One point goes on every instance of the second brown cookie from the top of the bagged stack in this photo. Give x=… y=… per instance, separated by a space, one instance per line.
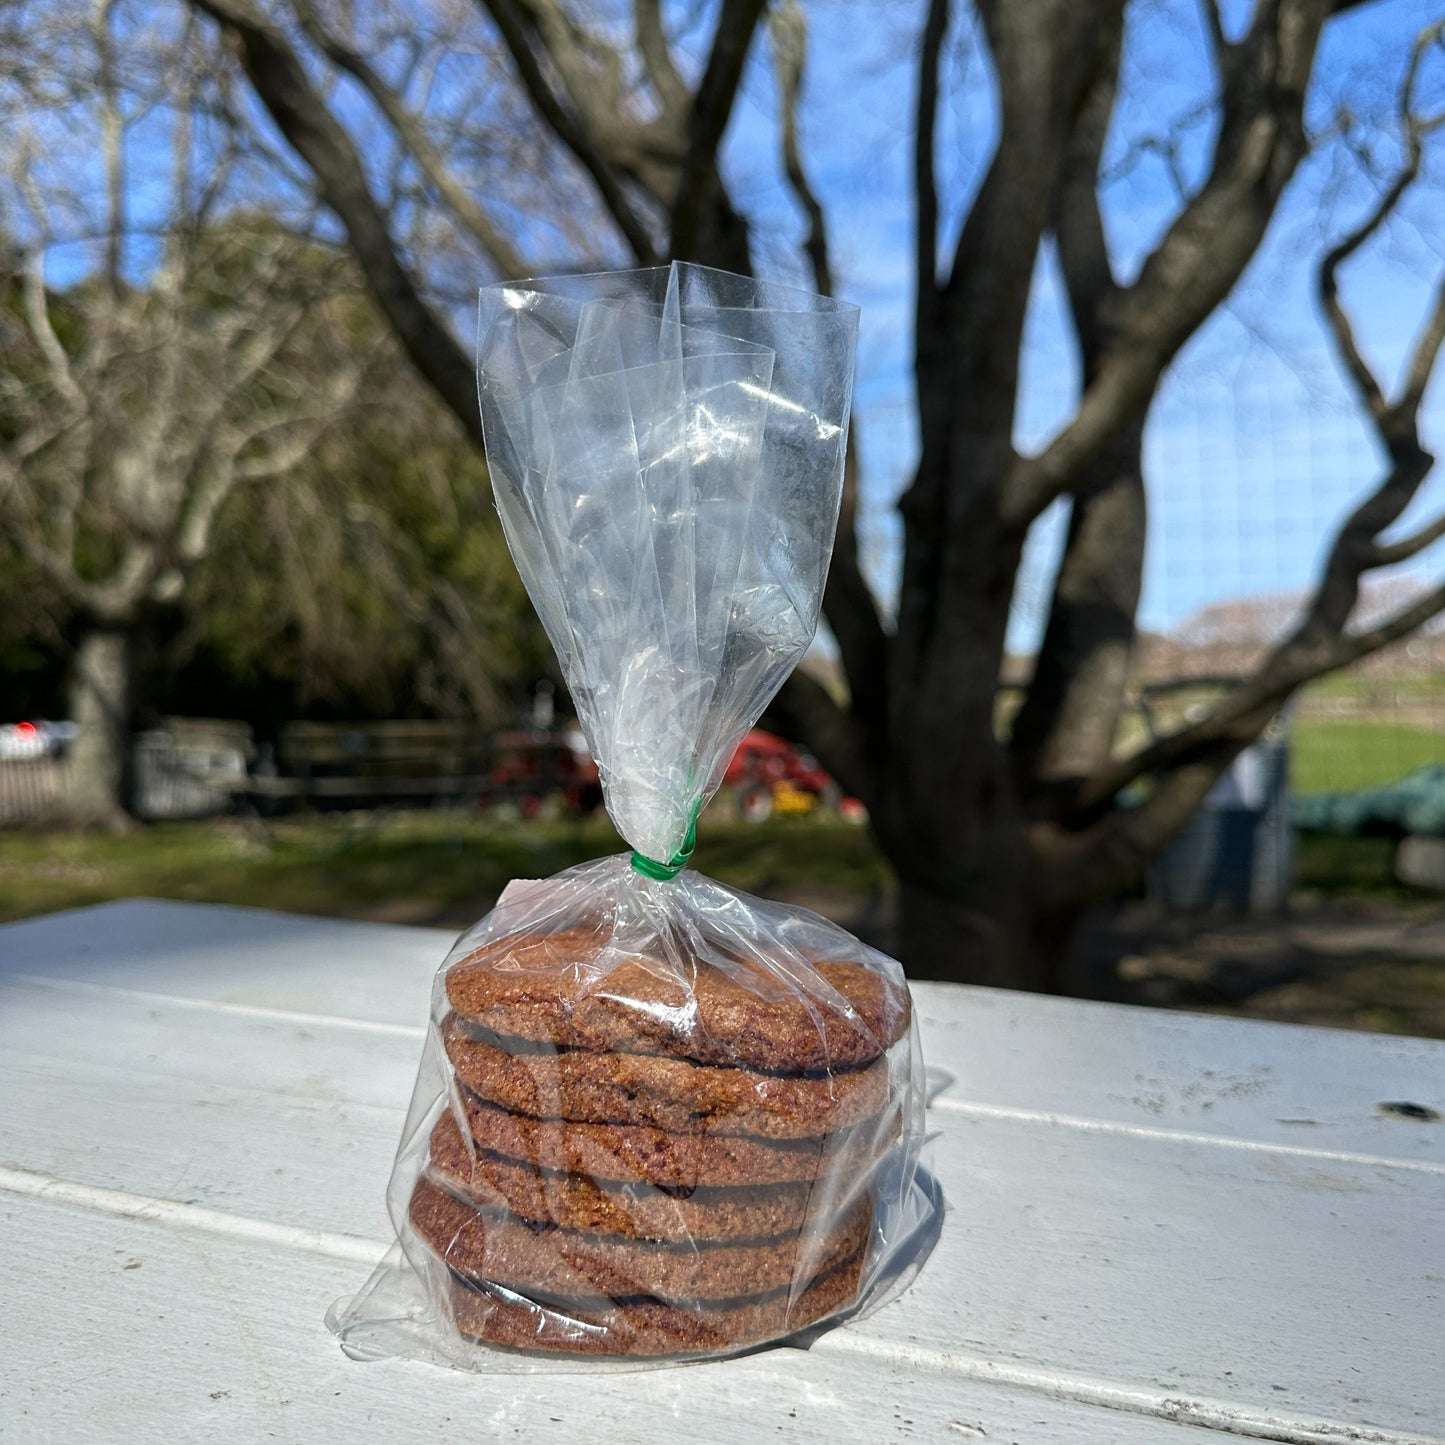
x=661 y=1092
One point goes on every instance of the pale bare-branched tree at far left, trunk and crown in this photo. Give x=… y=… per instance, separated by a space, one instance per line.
x=191 y=352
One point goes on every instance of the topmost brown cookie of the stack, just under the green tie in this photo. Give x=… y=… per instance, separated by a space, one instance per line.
x=774 y=1015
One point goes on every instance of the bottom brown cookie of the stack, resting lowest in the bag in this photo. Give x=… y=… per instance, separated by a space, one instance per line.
x=648 y=1327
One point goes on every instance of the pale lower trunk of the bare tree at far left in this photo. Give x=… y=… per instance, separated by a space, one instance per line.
x=100 y=710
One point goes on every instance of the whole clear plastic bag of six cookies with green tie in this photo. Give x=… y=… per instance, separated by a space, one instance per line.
x=657 y=1118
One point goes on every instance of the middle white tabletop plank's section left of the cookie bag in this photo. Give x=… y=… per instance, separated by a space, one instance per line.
x=219 y=1109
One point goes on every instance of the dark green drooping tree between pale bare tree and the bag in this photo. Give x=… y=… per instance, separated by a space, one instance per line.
x=372 y=582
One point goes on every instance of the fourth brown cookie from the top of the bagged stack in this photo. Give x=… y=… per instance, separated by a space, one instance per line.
x=596 y=1207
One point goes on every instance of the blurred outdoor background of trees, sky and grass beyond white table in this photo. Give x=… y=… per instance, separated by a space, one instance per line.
x=1132 y=678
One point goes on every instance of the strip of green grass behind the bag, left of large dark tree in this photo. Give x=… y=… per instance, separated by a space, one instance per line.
x=411 y=865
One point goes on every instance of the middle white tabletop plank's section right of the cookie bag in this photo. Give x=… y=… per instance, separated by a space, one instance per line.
x=1294 y=1291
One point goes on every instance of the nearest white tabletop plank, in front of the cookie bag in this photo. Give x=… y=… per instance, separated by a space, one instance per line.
x=138 y=1330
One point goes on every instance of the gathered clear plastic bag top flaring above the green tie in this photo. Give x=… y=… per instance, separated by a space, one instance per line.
x=667 y=457
